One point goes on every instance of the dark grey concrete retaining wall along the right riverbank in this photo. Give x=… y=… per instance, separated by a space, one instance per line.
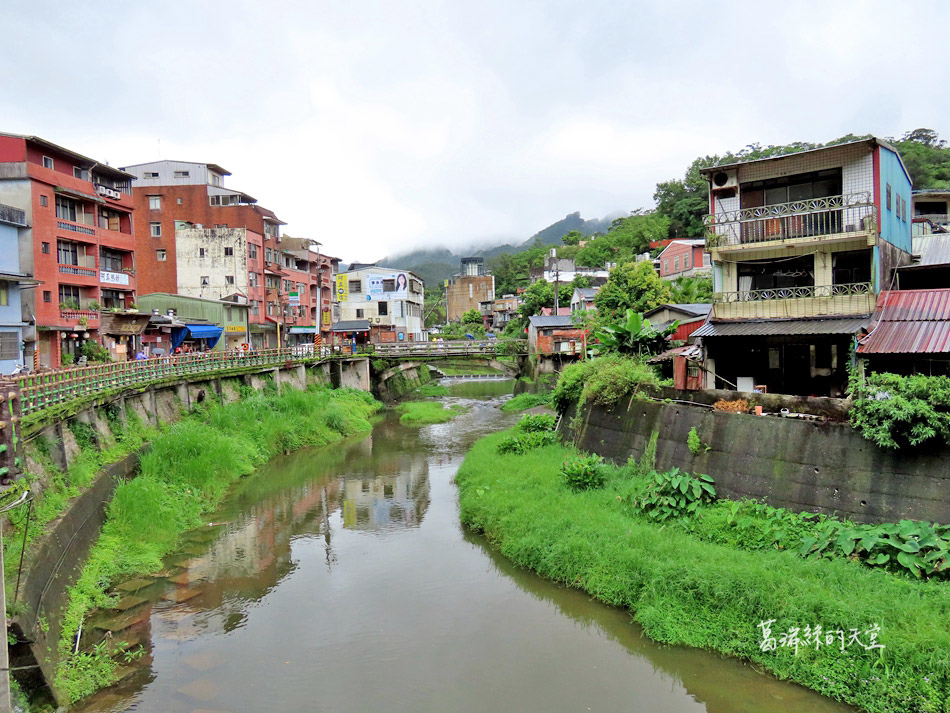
x=814 y=466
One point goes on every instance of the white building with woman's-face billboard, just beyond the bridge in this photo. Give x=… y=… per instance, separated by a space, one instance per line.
x=384 y=303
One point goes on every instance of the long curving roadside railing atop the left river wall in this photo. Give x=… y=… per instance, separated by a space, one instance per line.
x=48 y=388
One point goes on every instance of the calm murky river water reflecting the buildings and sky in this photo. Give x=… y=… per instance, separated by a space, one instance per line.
x=340 y=580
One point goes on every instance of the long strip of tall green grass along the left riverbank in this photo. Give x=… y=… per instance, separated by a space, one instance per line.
x=185 y=475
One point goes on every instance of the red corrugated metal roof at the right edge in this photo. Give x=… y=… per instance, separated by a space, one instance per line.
x=909 y=322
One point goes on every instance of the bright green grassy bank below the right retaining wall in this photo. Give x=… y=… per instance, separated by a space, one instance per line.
x=687 y=591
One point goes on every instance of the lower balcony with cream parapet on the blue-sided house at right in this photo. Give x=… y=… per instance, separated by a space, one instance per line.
x=795 y=302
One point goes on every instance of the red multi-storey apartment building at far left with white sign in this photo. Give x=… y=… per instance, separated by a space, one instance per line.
x=78 y=242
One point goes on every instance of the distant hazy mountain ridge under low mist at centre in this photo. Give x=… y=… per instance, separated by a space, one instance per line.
x=436 y=264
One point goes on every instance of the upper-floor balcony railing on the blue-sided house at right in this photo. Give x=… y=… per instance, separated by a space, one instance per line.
x=811 y=218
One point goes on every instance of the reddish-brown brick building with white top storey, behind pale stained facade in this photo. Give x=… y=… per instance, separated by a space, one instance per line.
x=174 y=195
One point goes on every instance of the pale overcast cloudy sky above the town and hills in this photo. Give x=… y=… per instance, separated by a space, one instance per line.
x=378 y=127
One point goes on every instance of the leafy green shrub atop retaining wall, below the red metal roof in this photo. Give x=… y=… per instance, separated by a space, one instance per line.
x=899 y=411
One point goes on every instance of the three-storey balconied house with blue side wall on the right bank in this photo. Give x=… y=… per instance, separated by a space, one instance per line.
x=800 y=245
